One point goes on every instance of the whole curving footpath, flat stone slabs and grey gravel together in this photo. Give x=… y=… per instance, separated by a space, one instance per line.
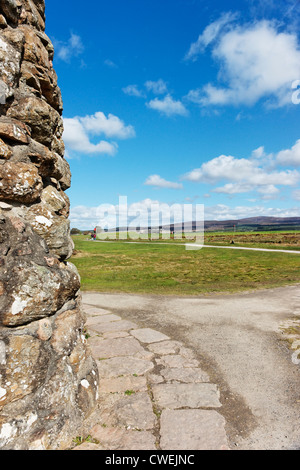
x=168 y=364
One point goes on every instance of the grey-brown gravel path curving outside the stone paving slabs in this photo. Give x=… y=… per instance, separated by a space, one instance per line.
x=239 y=343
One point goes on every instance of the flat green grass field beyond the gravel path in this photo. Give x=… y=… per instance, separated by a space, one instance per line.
x=172 y=270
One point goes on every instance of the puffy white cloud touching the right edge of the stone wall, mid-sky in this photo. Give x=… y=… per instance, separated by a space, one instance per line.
x=78 y=132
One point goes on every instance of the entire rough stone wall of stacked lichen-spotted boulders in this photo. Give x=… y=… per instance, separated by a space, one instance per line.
x=48 y=379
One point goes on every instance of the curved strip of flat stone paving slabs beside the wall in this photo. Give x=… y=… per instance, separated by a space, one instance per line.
x=152 y=393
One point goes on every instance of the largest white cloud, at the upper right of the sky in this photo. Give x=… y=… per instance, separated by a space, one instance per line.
x=256 y=62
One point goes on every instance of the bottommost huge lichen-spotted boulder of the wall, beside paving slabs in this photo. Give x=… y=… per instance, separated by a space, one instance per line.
x=42 y=397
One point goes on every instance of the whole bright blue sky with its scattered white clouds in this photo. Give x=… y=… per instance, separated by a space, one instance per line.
x=180 y=101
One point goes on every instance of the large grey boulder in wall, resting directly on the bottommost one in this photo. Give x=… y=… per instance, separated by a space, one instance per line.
x=35 y=284
